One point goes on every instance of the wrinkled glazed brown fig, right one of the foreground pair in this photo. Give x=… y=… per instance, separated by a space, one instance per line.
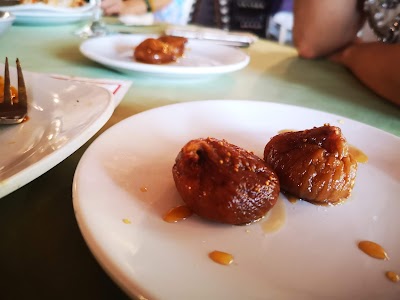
x=314 y=165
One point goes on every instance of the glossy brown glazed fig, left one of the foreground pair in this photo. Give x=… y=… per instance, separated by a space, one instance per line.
x=224 y=183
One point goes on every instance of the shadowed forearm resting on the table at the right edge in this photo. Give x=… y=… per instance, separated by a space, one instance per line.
x=376 y=64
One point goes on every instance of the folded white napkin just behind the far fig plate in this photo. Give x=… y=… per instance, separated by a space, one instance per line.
x=233 y=38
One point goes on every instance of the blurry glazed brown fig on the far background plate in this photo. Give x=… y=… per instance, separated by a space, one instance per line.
x=163 y=50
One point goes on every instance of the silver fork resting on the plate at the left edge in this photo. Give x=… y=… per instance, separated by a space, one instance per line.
x=13 y=112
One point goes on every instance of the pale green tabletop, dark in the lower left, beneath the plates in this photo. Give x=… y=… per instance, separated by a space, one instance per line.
x=42 y=252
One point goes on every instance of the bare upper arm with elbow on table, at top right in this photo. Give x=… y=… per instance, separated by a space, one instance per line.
x=321 y=27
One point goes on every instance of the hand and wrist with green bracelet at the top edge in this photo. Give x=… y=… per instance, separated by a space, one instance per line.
x=135 y=7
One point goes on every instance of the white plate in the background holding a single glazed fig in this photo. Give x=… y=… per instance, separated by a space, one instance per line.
x=201 y=58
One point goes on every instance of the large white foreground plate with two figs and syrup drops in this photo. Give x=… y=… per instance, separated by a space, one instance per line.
x=313 y=256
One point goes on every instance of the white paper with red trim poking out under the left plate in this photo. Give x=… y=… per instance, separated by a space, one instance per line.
x=118 y=88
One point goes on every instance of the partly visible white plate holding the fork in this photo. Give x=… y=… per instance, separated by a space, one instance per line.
x=63 y=115
